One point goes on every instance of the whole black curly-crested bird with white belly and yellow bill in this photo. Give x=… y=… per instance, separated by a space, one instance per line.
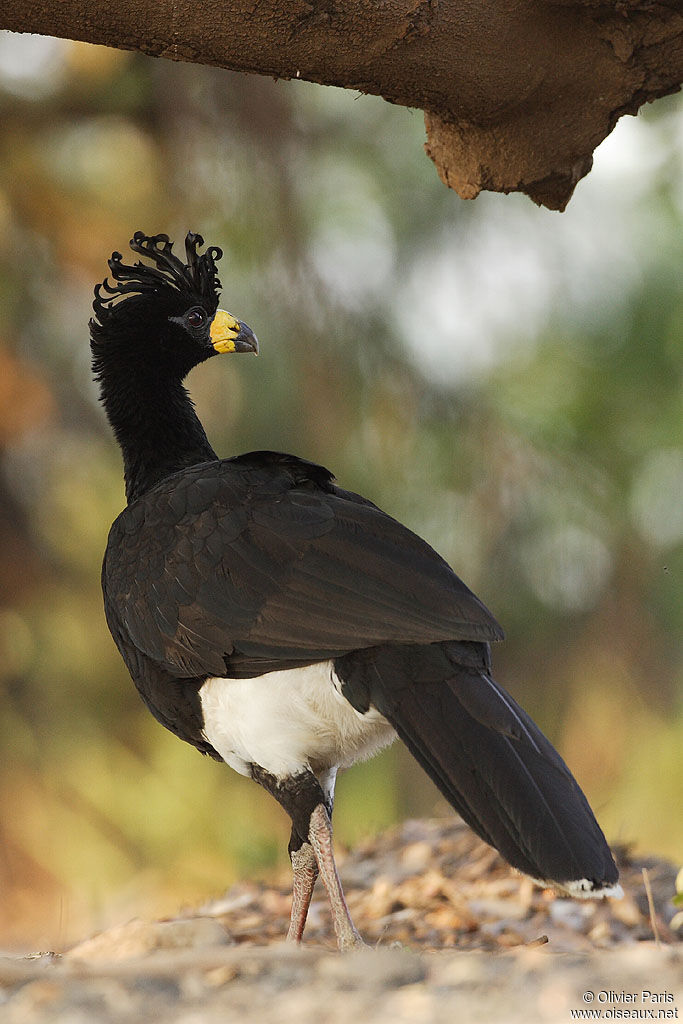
x=289 y=627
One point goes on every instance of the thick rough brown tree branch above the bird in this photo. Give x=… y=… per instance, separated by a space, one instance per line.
x=517 y=94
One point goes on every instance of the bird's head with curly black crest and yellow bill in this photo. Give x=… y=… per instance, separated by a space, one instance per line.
x=163 y=314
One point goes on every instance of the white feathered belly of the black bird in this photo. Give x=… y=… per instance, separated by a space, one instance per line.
x=289 y=721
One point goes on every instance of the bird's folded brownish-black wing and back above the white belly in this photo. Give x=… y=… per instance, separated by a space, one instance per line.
x=248 y=564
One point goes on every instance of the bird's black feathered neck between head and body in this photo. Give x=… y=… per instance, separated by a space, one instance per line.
x=157 y=429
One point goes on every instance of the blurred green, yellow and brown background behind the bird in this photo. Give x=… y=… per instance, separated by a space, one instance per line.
x=505 y=380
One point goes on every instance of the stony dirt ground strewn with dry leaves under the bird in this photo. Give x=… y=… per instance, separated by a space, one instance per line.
x=453 y=934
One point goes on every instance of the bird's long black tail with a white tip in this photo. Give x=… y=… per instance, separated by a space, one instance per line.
x=490 y=760
